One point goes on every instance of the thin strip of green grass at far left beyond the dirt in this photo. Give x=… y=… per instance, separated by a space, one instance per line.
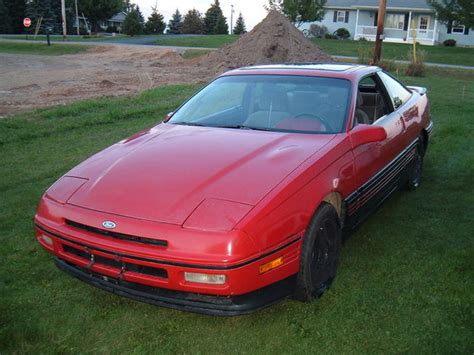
x=41 y=48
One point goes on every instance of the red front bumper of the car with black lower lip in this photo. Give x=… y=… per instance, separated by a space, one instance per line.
x=149 y=274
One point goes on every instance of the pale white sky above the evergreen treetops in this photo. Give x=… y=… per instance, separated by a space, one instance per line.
x=252 y=10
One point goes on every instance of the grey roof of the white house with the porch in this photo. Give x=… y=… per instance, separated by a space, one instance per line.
x=391 y=4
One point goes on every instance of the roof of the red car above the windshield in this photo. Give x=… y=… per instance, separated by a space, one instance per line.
x=341 y=70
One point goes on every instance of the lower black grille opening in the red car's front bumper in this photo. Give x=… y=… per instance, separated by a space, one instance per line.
x=152 y=271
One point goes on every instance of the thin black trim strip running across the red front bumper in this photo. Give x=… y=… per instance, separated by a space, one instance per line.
x=165 y=262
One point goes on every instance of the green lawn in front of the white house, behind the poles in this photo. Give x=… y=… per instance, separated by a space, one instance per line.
x=434 y=54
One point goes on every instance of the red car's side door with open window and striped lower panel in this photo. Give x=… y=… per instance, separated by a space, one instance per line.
x=378 y=164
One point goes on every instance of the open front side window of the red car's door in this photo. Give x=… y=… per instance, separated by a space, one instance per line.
x=371 y=103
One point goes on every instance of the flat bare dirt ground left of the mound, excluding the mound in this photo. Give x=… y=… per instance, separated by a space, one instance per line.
x=30 y=81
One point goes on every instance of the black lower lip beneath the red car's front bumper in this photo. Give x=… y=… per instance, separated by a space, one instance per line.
x=185 y=301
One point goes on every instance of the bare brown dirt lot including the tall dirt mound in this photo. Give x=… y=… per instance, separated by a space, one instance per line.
x=29 y=81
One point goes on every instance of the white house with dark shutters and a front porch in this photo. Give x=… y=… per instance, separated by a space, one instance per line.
x=402 y=17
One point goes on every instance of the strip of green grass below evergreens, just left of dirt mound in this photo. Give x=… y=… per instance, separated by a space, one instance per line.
x=205 y=41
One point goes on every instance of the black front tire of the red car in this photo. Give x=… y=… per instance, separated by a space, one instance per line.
x=319 y=254
